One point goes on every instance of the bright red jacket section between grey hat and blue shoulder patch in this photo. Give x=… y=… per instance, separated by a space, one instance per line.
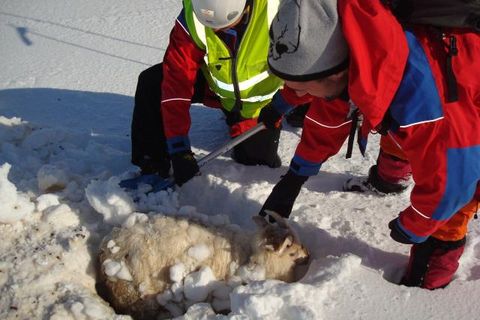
x=377 y=62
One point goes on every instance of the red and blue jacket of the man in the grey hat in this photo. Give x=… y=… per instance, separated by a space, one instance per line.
x=404 y=73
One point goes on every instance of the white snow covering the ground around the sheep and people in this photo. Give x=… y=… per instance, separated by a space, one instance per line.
x=68 y=77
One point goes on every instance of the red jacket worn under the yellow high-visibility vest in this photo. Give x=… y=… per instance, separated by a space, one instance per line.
x=181 y=64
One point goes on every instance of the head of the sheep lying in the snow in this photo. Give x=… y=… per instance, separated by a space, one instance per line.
x=278 y=249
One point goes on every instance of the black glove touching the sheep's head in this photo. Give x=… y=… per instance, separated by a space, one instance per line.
x=283 y=195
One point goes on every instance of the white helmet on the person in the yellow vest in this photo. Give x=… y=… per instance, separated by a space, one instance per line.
x=218 y=14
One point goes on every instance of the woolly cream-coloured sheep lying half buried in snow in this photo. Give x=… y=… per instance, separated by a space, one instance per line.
x=142 y=268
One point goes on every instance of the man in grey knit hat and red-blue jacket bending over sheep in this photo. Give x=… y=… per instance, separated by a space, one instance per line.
x=353 y=58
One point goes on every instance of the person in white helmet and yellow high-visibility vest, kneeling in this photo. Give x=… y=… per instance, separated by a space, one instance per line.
x=161 y=119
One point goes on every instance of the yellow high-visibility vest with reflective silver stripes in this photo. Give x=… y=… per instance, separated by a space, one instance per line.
x=257 y=86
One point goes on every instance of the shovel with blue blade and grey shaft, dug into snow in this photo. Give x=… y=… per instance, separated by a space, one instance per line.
x=158 y=183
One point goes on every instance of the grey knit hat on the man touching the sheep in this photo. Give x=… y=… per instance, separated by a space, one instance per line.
x=306 y=40
